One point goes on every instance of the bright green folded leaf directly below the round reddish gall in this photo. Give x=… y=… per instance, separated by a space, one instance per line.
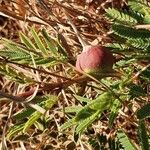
x=90 y=112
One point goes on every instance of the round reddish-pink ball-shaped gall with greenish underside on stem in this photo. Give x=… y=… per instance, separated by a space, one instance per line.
x=95 y=59
